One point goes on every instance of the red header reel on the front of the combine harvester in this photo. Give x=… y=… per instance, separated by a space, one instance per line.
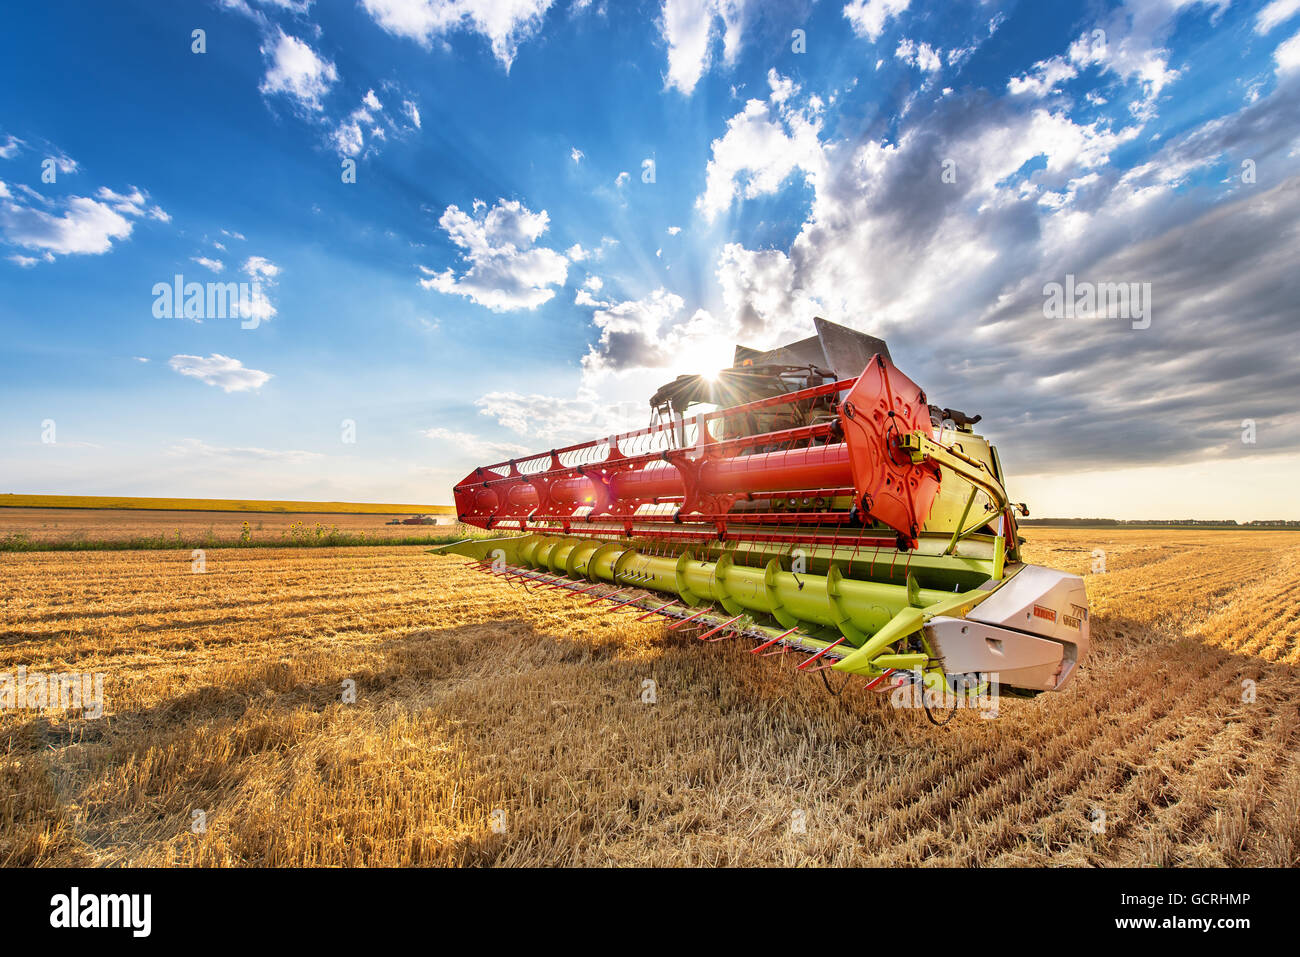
x=840 y=466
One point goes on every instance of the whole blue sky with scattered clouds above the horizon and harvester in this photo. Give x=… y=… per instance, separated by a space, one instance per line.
x=508 y=272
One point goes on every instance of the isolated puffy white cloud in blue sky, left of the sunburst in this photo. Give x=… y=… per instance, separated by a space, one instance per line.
x=506 y=271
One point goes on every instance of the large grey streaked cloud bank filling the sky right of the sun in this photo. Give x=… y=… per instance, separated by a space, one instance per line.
x=955 y=275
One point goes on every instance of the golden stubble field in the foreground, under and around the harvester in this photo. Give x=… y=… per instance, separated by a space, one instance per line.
x=500 y=728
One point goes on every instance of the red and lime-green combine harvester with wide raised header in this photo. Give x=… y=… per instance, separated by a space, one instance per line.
x=825 y=508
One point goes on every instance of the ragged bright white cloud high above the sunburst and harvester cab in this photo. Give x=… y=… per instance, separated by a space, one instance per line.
x=764 y=145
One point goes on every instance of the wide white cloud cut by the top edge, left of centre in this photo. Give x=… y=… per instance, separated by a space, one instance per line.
x=506 y=24
